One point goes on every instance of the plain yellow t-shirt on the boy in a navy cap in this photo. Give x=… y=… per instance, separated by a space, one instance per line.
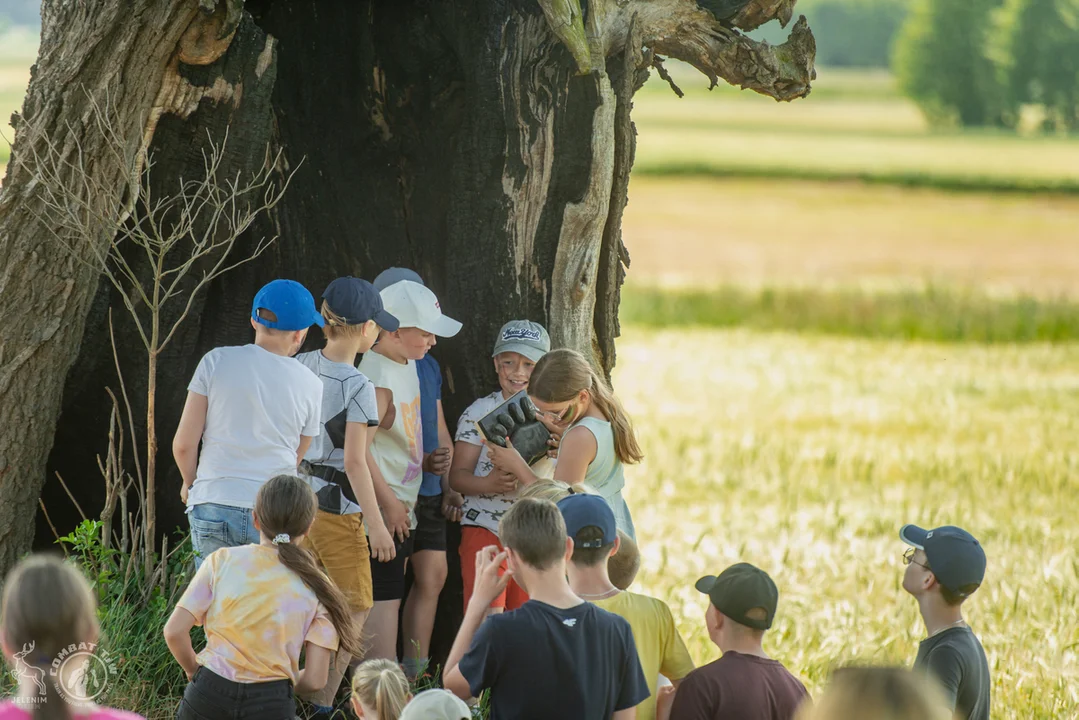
x=659 y=644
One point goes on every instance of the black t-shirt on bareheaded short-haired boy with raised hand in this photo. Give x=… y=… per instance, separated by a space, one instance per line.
x=544 y=662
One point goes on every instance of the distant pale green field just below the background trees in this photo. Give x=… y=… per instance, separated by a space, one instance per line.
x=853 y=127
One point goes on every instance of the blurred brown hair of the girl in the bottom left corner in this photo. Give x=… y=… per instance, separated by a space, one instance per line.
x=48 y=606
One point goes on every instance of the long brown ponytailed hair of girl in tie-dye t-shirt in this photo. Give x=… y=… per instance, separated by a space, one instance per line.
x=286 y=509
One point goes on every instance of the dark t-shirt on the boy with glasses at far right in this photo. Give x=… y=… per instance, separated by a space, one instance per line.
x=957 y=659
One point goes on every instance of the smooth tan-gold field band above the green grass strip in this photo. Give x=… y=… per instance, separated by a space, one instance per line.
x=764 y=233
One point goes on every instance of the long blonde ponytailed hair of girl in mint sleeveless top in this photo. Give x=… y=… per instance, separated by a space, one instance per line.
x=563 y=374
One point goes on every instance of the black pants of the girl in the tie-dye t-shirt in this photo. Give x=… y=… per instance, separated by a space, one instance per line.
x=210 y=697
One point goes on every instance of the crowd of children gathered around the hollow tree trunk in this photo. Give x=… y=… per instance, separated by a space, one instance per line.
x=319 y=482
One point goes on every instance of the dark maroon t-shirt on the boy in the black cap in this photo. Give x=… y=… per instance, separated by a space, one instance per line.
x=737 y=686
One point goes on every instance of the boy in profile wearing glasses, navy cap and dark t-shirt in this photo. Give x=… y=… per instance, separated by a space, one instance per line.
x=945 y=567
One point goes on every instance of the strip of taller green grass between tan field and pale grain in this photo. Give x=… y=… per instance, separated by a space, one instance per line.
x=930 y=314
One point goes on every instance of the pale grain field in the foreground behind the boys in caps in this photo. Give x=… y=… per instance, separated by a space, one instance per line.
x=805 y=455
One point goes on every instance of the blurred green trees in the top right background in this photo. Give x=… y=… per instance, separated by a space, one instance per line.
x=972 y=63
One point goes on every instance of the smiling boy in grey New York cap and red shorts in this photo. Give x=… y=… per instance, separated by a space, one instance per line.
x=490 y=493
